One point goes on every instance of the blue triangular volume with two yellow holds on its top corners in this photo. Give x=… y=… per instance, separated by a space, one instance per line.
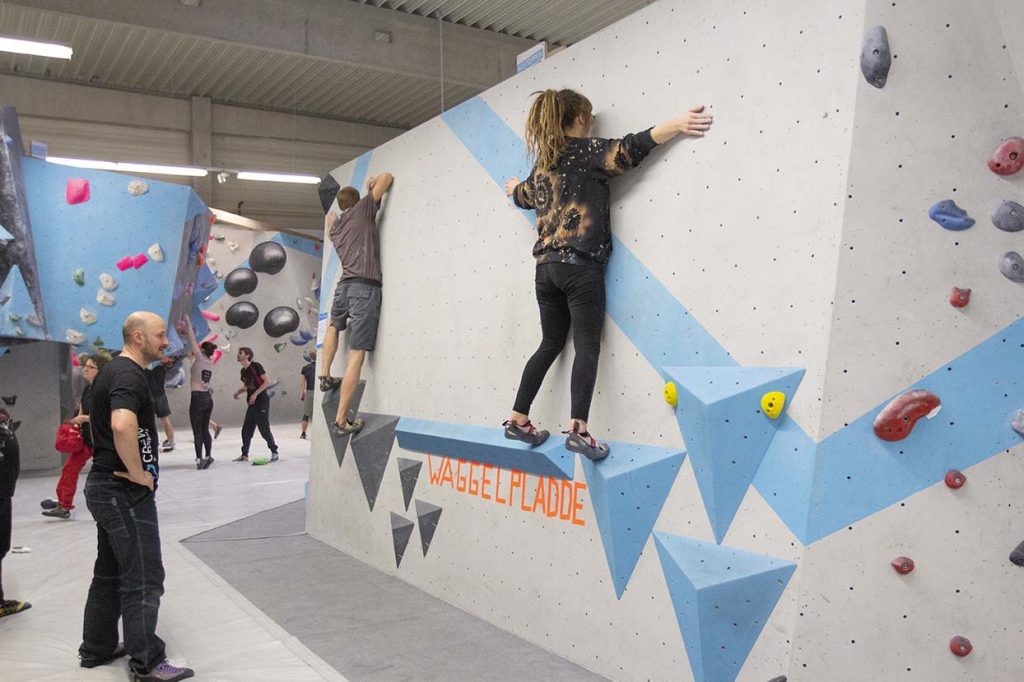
x=727 y=435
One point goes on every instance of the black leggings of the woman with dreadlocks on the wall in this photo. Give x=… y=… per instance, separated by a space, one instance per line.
x=570 y=296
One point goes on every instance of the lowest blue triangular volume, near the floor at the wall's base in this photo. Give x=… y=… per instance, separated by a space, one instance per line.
x=723 y=599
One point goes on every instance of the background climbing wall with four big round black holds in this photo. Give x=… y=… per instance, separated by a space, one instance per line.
x=260 y=291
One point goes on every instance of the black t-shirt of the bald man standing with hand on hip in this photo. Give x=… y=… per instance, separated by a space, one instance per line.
x=122 y=386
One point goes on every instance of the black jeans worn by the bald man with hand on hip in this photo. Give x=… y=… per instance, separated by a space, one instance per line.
x=129 y=577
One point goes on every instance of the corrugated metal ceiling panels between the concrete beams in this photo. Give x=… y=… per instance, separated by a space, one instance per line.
x=143 y=60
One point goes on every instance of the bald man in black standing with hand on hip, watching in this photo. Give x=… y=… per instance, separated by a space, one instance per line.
x=129 y=577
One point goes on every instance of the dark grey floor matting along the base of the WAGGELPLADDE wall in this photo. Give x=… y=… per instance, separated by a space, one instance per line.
x=367 y=625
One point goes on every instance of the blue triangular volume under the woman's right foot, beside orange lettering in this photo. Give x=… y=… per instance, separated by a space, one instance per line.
x=628 y=490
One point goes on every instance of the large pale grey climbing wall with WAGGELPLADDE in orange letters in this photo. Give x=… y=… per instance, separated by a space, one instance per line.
x=780 y=283
